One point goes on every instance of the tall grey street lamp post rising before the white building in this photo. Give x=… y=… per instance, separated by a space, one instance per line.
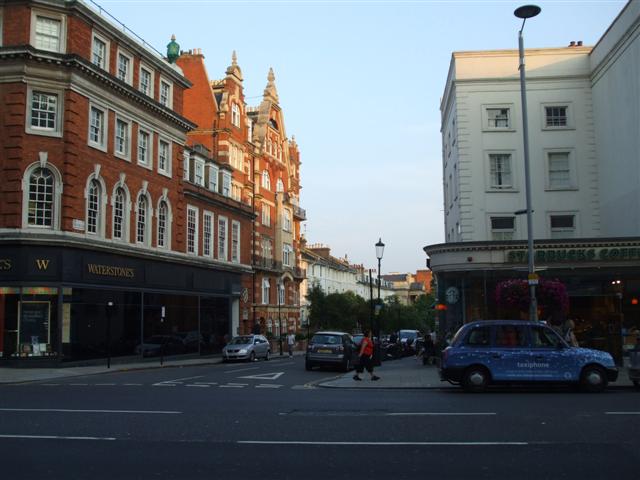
x=524 y=12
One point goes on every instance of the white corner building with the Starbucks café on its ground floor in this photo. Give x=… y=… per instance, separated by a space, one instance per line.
x=584 y=134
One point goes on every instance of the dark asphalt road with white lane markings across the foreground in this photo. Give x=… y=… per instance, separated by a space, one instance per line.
x=270 y=420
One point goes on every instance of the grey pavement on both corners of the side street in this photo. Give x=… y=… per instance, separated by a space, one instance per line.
x=406 y=373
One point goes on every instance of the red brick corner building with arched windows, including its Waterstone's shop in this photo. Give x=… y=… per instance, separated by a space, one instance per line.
x=115 y=239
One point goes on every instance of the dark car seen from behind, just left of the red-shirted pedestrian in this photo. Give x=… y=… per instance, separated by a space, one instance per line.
x=335 y=349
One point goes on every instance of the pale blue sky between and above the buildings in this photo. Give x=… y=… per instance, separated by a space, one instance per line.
x=360 y=84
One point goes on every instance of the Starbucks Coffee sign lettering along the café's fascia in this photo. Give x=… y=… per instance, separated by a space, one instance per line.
x=577 y=255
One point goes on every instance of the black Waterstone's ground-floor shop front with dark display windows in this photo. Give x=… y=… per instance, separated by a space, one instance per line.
x=65 y=304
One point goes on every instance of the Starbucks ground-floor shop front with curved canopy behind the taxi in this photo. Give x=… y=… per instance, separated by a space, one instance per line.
x=602 y=277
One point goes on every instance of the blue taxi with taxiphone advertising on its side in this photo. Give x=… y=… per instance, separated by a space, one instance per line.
x=504 y=351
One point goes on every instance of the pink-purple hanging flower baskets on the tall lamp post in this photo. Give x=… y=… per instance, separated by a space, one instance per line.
x=552 y=295
